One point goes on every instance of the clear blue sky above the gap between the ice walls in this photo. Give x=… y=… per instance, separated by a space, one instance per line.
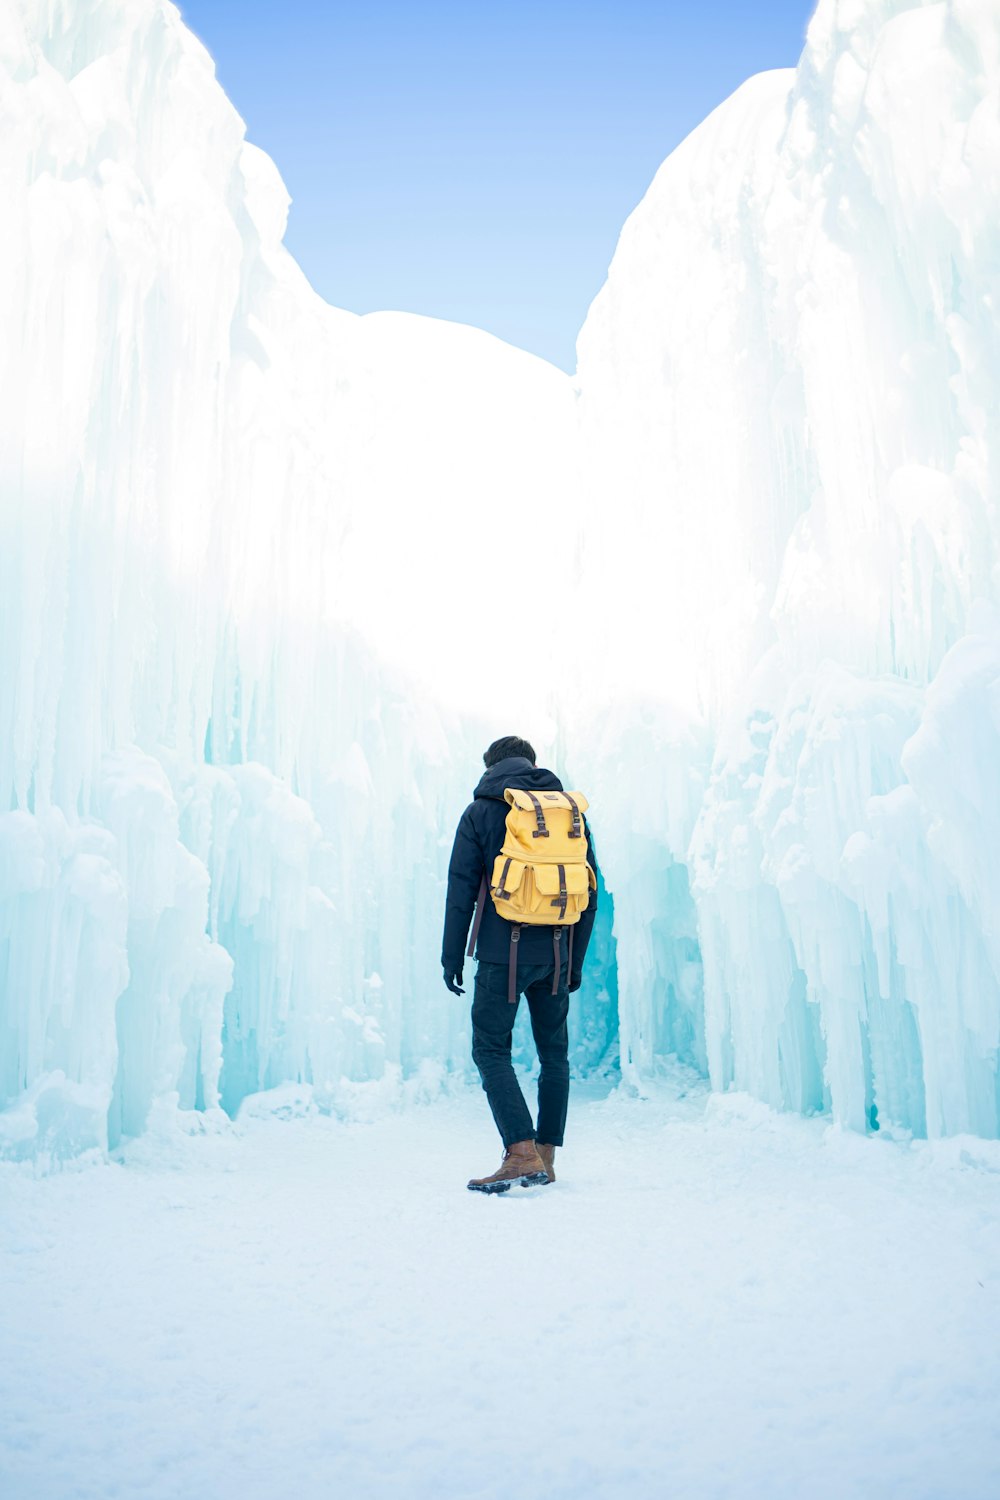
x=473 y=160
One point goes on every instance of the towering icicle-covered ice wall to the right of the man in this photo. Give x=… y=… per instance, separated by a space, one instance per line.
x=794 y=376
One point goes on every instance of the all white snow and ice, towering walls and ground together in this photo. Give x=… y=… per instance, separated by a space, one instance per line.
x=271 y=581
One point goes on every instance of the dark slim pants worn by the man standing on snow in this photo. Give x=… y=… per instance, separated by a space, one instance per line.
x=493 y=1027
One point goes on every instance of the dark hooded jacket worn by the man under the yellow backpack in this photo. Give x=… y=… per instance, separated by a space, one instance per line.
x=478 y=844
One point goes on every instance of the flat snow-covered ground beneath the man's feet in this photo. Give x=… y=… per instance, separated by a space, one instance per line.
x=714 y=1301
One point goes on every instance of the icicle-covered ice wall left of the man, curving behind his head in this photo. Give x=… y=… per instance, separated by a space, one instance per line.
x=235 y=526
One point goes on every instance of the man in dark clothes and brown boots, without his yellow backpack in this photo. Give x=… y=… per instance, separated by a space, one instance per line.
x=528 y=1150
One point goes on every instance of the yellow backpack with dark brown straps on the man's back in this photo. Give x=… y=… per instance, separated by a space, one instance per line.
x=542 y=875
